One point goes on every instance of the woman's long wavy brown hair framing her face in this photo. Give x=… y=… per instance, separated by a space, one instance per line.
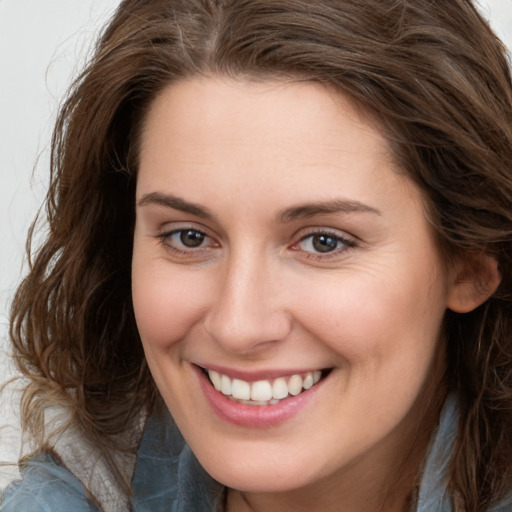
x=434 y=76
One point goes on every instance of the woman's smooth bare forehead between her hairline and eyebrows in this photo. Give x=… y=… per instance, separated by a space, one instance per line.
x=285 y=127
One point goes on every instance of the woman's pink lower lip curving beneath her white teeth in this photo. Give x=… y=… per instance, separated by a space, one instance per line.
x=255 y=416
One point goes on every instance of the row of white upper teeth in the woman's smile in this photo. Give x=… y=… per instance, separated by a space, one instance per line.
x=263 y=390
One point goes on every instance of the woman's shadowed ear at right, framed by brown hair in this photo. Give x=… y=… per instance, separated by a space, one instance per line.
x=476 y=278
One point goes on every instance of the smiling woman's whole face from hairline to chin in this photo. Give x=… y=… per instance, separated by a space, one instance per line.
x=276 y=249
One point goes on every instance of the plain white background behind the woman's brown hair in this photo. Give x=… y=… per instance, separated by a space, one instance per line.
x=43 y=43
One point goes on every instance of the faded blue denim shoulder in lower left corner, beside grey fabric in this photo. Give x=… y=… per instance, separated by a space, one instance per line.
x=46 y=485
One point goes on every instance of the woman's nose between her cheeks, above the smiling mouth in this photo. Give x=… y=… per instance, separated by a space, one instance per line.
x=248 y=308
